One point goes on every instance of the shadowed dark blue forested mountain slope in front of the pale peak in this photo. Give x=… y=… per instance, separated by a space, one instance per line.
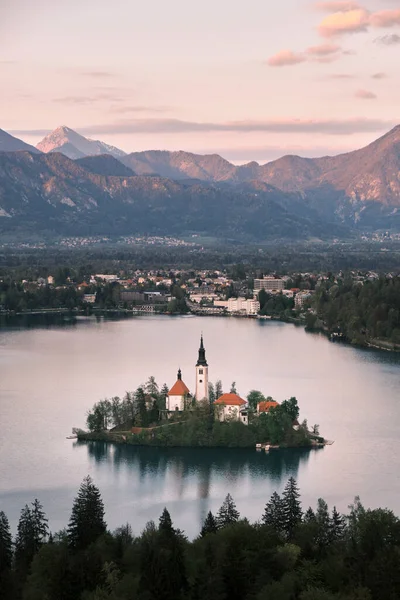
x=52 y=194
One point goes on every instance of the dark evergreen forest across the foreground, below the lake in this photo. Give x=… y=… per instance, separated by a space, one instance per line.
x=289 y=554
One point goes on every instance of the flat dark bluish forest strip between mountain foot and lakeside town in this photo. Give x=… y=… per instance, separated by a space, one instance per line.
x=212 y=254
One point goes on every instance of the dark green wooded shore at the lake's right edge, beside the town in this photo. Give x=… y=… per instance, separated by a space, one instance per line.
x=360 y=311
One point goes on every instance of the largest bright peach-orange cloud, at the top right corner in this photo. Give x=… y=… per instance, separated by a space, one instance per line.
x=357 y=20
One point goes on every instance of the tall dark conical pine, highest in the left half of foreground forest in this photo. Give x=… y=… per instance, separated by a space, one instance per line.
x=87 y=519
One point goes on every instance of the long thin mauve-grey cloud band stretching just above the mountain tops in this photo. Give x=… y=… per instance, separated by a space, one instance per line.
x=176 y=126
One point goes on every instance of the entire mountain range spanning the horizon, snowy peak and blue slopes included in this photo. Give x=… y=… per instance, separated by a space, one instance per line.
x=71 y=185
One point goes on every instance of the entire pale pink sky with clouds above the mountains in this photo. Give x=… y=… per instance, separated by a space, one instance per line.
x=250 y=81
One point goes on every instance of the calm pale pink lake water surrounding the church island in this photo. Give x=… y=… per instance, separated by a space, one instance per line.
x=50 y=377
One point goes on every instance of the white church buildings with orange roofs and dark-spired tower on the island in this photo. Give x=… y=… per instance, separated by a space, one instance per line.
x=227 y=407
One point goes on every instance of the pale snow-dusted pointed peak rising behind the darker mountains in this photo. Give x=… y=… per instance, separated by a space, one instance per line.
x=72 y=144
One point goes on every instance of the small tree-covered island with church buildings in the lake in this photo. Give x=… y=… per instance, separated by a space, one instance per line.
x=175 y=417
